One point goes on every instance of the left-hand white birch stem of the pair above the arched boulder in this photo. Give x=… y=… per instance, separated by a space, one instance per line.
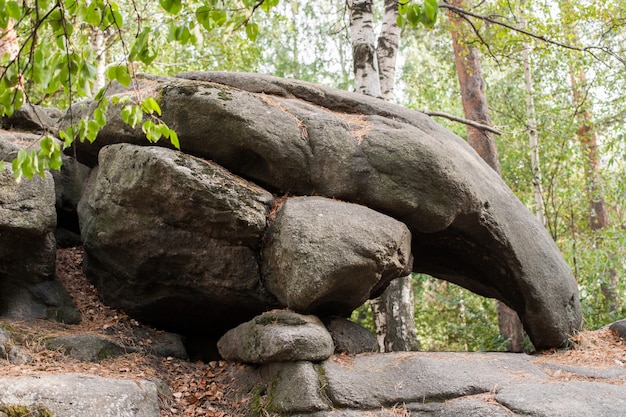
x=366 y=79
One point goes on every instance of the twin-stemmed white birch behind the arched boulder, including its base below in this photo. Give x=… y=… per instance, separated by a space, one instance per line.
x=374 y=74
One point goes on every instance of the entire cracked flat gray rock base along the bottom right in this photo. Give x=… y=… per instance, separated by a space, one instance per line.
x=428 y=384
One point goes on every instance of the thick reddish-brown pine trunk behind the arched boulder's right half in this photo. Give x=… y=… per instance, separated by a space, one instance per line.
x=474 y=98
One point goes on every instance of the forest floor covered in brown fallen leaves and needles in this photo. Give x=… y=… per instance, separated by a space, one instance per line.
x=213 y=389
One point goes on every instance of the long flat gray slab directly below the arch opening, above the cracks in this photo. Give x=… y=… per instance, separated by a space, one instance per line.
x=374 y=381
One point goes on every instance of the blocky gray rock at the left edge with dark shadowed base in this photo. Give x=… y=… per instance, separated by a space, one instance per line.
x=28 y=288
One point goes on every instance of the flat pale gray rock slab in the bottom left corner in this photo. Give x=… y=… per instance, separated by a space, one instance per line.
x=75 y=395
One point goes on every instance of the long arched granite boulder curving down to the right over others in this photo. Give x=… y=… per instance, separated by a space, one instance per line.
x=298 y=138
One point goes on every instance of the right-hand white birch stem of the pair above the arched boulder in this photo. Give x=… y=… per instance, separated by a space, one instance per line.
x=387 y=50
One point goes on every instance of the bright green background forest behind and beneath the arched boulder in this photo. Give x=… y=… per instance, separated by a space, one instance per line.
x=555 y=76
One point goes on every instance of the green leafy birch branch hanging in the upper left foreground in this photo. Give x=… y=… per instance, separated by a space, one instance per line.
x=49 y=63
